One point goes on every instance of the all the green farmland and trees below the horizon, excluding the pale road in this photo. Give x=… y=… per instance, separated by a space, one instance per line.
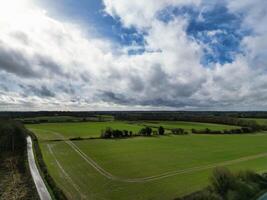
x=136 y=155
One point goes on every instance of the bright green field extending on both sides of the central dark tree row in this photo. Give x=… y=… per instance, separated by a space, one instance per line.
x=162 y=167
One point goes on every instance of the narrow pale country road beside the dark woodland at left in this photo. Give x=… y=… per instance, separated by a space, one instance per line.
x=39 y=183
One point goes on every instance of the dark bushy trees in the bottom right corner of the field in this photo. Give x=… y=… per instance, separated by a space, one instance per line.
x=225 y=185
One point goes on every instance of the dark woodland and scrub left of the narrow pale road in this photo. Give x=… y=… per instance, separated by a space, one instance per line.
x=15 y=178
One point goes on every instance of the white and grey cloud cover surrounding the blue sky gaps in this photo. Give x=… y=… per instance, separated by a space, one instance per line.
x=49 y=64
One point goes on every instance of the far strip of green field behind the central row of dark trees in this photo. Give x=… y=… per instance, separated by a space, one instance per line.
x=93 y=129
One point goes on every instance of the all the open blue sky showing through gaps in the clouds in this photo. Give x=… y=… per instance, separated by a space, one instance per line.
x=212 y=24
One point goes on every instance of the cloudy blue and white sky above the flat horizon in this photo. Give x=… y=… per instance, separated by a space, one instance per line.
x=133 y=55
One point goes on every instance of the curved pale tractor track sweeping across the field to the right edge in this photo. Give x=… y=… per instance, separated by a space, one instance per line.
x=110 y=176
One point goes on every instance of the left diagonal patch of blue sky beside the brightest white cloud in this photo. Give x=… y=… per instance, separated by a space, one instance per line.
x=91 y=13
